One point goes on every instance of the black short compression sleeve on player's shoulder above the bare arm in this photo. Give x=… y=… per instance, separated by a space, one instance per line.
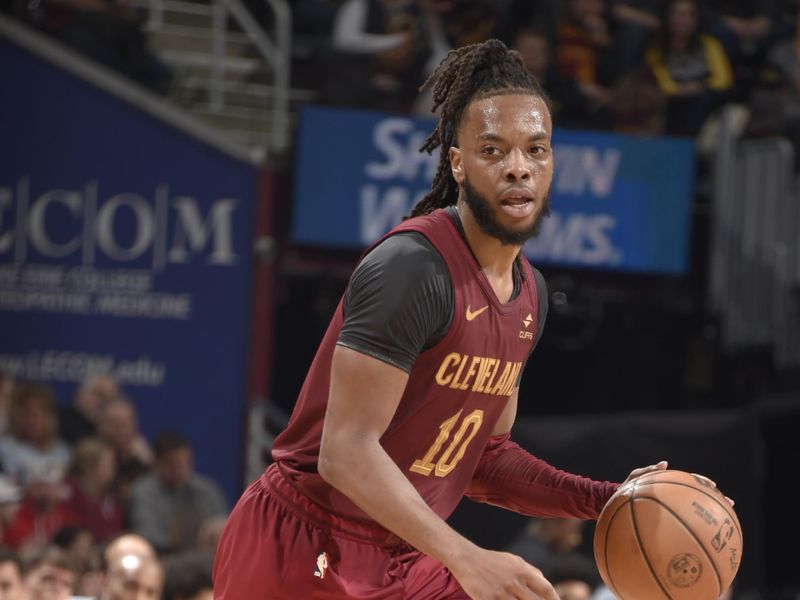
x=399 y=301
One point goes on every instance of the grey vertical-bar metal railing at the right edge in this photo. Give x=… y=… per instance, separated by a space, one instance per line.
x=755 y=252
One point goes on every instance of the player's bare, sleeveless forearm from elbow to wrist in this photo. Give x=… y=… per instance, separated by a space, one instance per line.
x=362 y=471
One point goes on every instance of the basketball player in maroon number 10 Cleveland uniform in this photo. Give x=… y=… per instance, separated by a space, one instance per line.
x=410 y=400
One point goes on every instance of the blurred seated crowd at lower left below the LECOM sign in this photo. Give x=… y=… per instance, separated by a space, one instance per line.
x=90 y=508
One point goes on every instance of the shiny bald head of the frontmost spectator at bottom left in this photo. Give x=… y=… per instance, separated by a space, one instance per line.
x=133 y=576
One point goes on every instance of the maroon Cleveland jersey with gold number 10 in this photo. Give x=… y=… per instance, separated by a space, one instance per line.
x=455 y=393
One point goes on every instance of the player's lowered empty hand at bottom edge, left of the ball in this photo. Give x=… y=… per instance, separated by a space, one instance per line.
x=490 y=575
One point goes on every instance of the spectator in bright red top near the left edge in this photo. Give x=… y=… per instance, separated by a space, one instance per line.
x=42 y=513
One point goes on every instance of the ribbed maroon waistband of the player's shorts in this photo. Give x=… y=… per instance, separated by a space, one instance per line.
x=274 y=480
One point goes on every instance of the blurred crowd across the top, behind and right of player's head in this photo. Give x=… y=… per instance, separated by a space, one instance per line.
x=649 y=67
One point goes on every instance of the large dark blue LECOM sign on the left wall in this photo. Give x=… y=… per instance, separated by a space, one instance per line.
x=124 y=248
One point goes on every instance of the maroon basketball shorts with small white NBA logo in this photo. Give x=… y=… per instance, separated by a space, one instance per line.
x=278 y=544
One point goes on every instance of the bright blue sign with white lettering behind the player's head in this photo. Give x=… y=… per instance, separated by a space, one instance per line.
x=618 y=202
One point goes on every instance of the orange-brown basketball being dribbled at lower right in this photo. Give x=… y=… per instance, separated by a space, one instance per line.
x=668 y=534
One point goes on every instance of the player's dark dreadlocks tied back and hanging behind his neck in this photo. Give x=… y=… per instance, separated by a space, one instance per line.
x=472 y=72
